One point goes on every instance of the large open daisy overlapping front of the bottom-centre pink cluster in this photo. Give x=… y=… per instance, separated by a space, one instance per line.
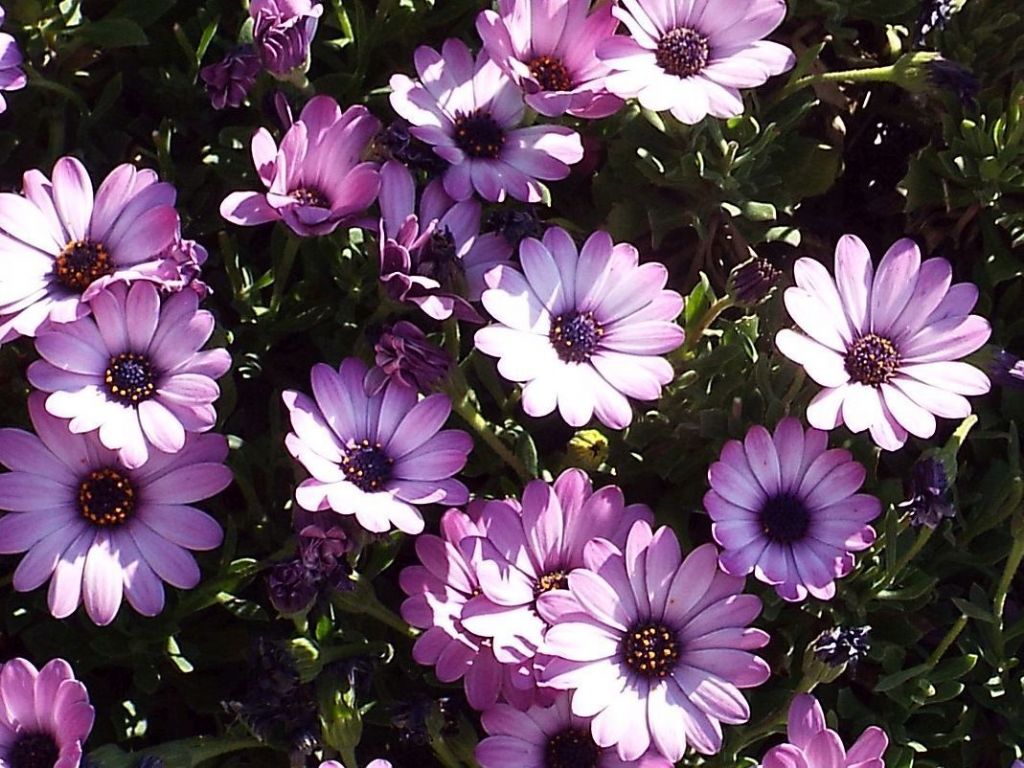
x=654 y=648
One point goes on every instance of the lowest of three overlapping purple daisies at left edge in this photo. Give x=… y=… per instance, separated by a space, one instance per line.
x=100 y=531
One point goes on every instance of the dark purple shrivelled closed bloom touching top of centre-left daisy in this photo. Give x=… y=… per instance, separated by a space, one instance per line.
x=405 y=355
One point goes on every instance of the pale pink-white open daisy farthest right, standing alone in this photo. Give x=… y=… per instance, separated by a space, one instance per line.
x=884 y=344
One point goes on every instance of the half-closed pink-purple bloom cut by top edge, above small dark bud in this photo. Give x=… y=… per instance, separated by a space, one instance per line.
x=283 y=31
